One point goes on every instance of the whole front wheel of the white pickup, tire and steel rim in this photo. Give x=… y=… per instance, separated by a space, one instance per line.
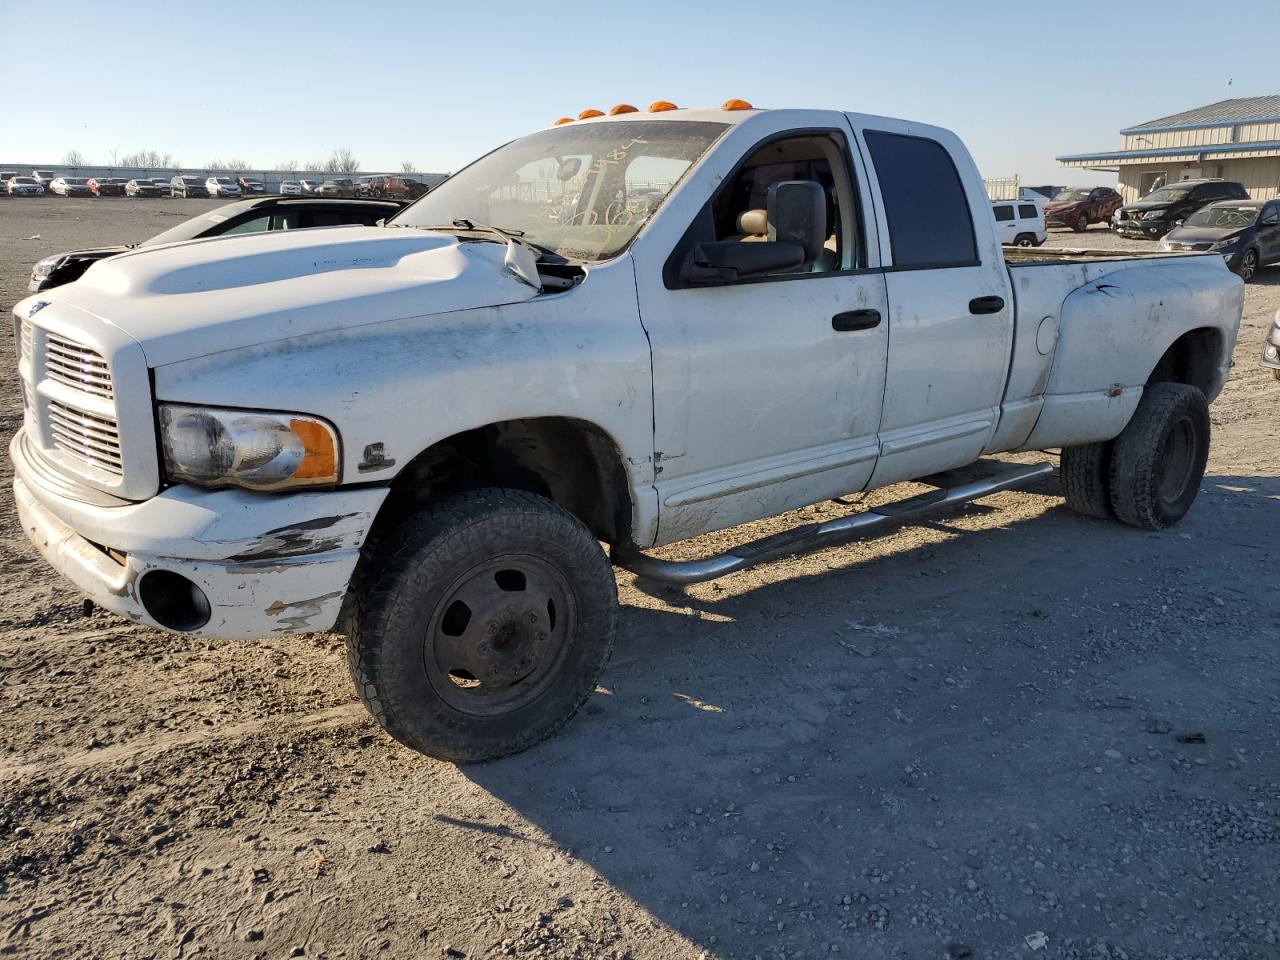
x=483 y=627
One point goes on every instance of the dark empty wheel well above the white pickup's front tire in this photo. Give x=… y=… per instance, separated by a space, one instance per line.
x=569 y=461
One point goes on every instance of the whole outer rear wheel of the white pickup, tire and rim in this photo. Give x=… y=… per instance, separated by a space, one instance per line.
x=1158 y=463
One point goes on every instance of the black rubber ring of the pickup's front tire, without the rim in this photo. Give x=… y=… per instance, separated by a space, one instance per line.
x=454 y=523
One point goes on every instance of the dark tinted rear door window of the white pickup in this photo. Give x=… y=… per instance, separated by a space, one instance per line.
x=930 y=223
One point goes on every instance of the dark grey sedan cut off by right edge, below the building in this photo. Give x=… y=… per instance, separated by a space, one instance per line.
x=1246 y=232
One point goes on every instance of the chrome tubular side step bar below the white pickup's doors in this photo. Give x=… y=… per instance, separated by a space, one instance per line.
x=812 y=537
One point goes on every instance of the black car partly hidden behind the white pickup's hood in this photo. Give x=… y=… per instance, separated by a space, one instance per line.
x=250 y=216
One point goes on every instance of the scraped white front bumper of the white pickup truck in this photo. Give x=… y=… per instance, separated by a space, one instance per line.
x=268 y=564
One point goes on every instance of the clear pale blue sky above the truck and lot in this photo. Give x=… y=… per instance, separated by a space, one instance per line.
x=440 y=84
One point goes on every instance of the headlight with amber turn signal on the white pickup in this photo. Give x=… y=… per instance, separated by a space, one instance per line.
x=248 y=449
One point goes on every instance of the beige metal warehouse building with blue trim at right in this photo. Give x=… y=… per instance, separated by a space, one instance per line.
x=1237 y=140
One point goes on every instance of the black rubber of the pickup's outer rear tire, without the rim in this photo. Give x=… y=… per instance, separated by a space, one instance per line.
x=1137 y=450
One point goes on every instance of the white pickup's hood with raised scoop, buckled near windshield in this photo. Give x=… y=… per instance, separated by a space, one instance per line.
x=189 y=300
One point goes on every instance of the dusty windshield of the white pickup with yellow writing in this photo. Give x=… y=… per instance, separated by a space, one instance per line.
x=582 y=191
